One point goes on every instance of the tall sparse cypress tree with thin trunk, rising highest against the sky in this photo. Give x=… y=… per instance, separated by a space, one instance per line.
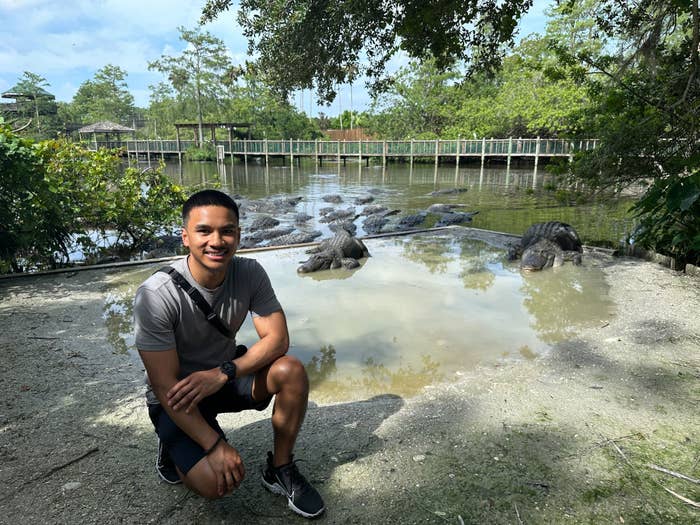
x=199 y=72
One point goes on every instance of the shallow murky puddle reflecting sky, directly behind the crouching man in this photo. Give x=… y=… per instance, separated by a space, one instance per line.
x=423 y=308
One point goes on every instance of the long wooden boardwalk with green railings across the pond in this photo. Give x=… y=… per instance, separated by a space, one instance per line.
x=340 y=151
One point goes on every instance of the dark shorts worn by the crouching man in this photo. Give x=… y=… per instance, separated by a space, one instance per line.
x=233 y=397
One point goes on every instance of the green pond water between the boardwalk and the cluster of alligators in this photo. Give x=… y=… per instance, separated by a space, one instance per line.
x=507 y=201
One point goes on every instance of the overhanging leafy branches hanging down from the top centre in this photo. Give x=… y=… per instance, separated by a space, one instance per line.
x=319 y=43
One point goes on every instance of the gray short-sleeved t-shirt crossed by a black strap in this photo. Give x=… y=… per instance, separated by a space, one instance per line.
x=165 y=317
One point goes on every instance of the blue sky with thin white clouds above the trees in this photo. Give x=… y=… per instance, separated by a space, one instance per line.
x=67 y=41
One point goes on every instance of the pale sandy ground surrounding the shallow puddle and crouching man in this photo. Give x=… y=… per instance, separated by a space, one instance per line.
x=560 y=439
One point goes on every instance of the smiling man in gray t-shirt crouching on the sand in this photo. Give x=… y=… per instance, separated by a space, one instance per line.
x=196 y=371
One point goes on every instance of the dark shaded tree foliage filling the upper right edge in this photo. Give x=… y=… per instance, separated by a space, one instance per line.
x=646 y=113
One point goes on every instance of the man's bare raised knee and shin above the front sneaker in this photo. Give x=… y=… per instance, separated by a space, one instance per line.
x=286 y=379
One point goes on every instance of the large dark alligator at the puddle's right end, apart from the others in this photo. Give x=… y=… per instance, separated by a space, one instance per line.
x=547 y=244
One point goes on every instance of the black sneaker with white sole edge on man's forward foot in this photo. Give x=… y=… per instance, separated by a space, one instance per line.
x=302 y=498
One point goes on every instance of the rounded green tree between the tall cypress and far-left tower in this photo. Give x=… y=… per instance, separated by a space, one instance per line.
x=106 y=97
